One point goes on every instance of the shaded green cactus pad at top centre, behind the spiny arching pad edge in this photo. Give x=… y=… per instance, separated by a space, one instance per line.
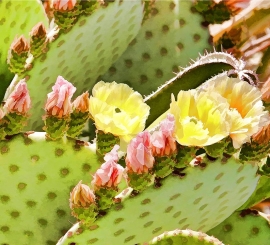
x=168 y=39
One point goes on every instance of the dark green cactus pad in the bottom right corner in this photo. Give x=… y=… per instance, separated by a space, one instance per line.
x=249 y=230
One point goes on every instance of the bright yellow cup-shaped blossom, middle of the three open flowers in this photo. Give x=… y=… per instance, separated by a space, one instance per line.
x=200 y=118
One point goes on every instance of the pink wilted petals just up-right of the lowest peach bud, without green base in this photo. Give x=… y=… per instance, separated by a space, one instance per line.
x=110 y=173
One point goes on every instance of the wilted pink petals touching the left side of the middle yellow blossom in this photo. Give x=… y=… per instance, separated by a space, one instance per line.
x=163 y=141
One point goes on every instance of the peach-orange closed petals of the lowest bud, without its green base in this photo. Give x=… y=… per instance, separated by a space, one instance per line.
x=81 y=196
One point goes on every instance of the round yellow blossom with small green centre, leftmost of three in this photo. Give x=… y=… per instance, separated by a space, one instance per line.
x=118 y=109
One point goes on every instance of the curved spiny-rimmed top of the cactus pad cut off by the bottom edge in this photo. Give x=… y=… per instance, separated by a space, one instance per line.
x=184 y=237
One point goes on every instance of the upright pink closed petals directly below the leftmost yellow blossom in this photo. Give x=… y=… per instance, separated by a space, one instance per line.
x=139 y=155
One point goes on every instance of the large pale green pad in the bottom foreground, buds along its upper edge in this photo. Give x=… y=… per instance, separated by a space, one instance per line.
x=201 y=200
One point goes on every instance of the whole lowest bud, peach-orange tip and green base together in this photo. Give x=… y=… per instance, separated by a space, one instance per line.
x=83 y=205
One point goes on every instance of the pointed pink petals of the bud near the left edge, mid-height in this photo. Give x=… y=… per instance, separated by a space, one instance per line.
x=19 y=100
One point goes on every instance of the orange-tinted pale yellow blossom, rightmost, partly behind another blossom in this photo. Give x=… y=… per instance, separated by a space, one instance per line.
x=246 y=107
